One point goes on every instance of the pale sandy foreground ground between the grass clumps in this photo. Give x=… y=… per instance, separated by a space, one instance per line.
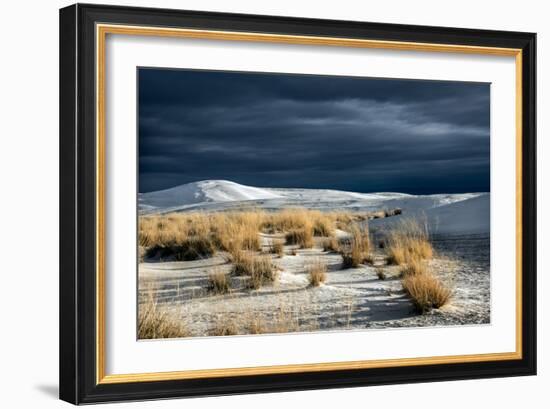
x=350 y=299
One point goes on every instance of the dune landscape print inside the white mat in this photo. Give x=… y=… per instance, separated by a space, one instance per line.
x=277 y=203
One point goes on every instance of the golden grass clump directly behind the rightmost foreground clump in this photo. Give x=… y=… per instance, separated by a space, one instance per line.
x=409 y=241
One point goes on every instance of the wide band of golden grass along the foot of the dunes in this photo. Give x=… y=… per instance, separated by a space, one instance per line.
x=195 y=235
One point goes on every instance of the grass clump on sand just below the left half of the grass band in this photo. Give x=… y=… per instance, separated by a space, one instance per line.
x=259 y=269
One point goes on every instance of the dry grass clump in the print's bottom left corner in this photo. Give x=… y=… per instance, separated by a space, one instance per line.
x=154 y=323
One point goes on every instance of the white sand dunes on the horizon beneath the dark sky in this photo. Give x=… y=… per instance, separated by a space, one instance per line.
x=461 y=213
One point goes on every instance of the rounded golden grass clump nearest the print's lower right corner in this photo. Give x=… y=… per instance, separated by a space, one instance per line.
x=426 y=291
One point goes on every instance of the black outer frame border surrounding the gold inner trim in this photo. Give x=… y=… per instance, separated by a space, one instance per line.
x=78 y=211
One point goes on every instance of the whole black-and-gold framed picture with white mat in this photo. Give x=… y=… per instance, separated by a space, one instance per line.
x=257 y=203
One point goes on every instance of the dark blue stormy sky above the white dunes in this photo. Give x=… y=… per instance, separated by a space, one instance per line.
x=279 y=130
